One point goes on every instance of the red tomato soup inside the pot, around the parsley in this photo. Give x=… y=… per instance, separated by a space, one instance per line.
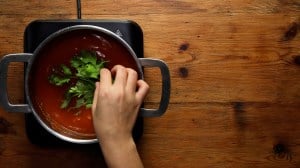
x=47 y=98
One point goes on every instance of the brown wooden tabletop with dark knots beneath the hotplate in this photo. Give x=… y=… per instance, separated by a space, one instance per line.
x=235 y=75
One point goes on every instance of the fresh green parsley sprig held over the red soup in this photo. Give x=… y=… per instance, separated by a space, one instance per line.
x=81 y=77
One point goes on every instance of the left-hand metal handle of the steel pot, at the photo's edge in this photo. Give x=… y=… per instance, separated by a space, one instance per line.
x=4 y=102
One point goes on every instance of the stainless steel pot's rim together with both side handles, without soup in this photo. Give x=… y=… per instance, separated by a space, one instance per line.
x=31 y=57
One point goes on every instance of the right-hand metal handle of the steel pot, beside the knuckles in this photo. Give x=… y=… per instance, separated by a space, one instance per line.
x=165 y=95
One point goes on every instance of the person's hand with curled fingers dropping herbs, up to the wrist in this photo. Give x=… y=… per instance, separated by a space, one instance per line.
x=116 y=104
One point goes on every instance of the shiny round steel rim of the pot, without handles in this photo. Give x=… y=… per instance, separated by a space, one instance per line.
x=36 y=54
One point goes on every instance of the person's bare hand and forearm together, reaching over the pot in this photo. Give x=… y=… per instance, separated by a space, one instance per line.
x=115 y=108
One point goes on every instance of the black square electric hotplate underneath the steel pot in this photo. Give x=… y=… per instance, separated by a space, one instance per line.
x=38 y=30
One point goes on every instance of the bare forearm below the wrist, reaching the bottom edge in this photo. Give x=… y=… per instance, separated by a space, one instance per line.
x=120 y=153
